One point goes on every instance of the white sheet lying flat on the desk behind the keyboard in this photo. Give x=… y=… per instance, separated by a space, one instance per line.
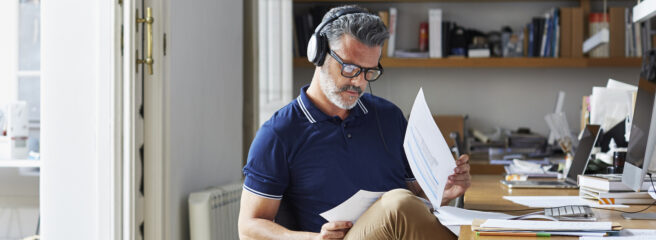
x=553 y=201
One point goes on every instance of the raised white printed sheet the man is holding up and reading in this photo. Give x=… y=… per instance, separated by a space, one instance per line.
x=428 y=154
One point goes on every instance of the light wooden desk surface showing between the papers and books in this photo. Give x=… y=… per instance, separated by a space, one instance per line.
x=487 y=192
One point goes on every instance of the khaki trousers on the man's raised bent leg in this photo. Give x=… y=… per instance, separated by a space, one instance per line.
x=398 y=214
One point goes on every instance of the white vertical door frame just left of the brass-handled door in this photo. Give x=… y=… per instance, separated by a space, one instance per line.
x=109 y=120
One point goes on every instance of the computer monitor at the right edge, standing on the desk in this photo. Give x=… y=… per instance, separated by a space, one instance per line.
x=640 y=153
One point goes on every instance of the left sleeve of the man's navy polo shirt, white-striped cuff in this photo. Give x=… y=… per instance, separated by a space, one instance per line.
x=266 y=171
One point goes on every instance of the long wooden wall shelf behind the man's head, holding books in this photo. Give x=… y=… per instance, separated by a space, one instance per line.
x=498 y=62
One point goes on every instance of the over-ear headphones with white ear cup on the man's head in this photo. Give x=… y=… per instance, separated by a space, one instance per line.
x=317 y=48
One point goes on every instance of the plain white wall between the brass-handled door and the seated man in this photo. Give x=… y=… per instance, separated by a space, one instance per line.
x=205 y=102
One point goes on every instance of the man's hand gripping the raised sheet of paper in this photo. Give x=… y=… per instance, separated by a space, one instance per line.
x=459 y=181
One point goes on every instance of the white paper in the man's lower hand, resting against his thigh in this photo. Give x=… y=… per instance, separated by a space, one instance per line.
x=352 y=208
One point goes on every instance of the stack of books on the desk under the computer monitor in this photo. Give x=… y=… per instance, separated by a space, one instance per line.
x=608 y=189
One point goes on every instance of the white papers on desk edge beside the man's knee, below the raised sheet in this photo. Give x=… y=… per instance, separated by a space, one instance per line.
x=449 y=216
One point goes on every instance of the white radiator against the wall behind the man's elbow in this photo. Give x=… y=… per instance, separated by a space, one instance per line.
x=213 y=213
